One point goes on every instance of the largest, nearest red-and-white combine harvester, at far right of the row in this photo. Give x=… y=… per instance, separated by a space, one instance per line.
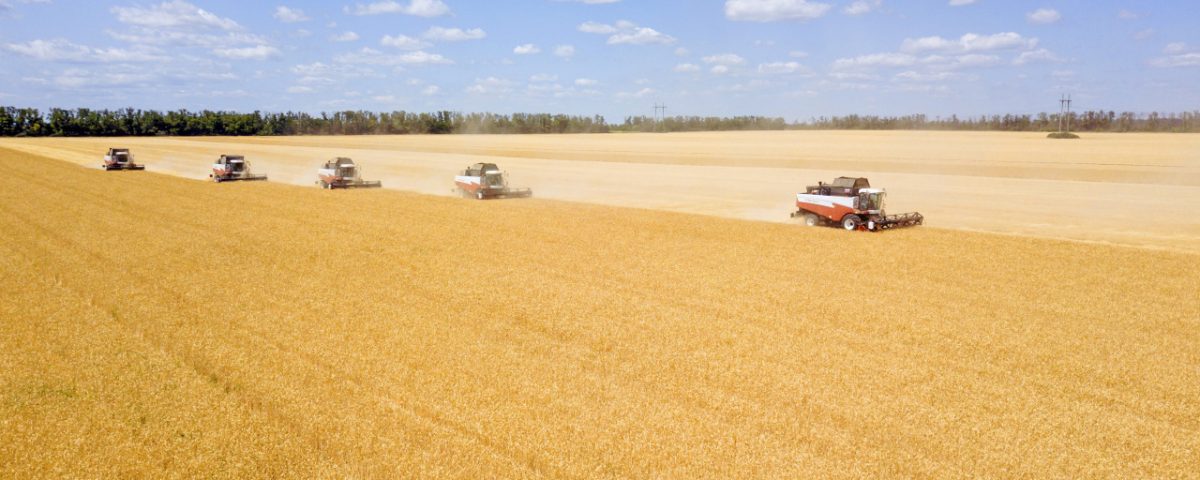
x=853 y=203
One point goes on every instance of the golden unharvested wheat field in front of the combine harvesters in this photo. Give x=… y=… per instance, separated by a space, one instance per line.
x=160 y=327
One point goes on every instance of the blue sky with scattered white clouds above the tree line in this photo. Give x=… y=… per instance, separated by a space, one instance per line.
x=789 y=58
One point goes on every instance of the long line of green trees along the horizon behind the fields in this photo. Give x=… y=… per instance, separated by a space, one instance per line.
x=137 y=123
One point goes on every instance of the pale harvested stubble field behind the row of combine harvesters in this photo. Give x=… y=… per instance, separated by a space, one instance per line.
x=1114 y=189
